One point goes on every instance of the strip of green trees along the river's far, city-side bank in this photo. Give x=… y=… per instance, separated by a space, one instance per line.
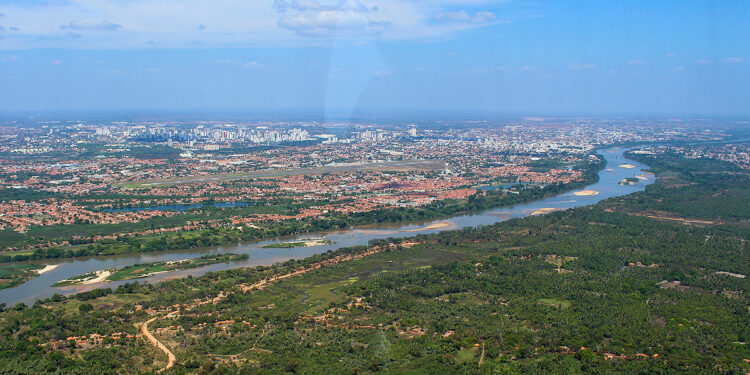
x=231 y=234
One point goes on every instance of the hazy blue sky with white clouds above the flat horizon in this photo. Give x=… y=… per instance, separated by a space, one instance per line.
x=533 y=57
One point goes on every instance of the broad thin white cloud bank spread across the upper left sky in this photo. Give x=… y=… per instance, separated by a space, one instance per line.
x=182 y=23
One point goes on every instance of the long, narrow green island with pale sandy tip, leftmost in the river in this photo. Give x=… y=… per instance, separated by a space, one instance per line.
x=147 y=269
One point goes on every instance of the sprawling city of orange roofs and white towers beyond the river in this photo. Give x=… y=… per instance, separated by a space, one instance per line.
x=80 y=172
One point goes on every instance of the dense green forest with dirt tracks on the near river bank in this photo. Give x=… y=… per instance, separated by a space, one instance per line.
x=622 y=286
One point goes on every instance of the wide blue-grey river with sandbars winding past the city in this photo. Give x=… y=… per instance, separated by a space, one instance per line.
x=618 y=168
